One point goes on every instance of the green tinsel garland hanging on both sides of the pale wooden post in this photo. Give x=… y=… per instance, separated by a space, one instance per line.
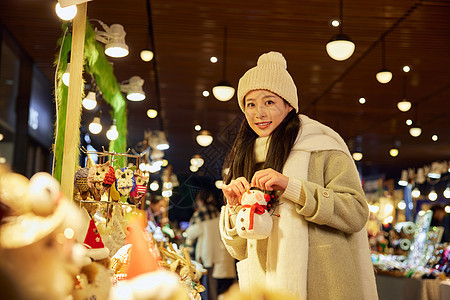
x=102 y=70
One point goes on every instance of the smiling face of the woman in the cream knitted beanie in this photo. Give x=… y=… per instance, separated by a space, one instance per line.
x=264 y=111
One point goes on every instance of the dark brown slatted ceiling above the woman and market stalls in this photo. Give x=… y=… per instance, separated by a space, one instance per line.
x=187 y=33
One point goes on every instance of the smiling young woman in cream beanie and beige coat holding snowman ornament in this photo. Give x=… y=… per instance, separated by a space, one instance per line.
x=318 y=247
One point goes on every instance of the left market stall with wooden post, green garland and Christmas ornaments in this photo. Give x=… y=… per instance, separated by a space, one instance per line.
x=88 y=221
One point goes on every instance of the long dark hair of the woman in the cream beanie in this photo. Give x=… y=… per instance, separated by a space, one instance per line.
x=240 y=161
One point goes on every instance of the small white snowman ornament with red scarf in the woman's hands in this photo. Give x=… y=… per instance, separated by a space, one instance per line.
x=253 y=221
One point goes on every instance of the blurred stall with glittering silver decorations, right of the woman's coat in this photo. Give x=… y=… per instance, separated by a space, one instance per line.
x=410 y=253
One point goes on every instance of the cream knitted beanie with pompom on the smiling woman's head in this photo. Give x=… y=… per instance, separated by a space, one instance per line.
x=269 y=74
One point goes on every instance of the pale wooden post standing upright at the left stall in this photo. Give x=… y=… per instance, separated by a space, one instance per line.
x=72 y=129
